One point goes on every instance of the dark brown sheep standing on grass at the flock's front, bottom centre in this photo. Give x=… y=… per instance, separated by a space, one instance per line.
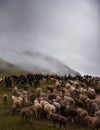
x=58 y=119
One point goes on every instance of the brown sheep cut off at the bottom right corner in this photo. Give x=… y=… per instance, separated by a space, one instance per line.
x=93 y=122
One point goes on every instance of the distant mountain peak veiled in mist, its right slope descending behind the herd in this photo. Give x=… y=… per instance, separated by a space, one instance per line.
x=43 y=63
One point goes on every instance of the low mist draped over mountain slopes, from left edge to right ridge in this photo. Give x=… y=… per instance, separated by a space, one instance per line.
x=37 y=62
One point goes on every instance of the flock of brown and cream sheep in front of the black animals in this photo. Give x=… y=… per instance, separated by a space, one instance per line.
x=74 y=100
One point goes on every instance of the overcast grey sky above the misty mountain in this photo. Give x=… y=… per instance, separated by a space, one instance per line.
x=66 y=29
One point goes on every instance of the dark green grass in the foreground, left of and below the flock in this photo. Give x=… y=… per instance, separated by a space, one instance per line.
x=14 y=122
